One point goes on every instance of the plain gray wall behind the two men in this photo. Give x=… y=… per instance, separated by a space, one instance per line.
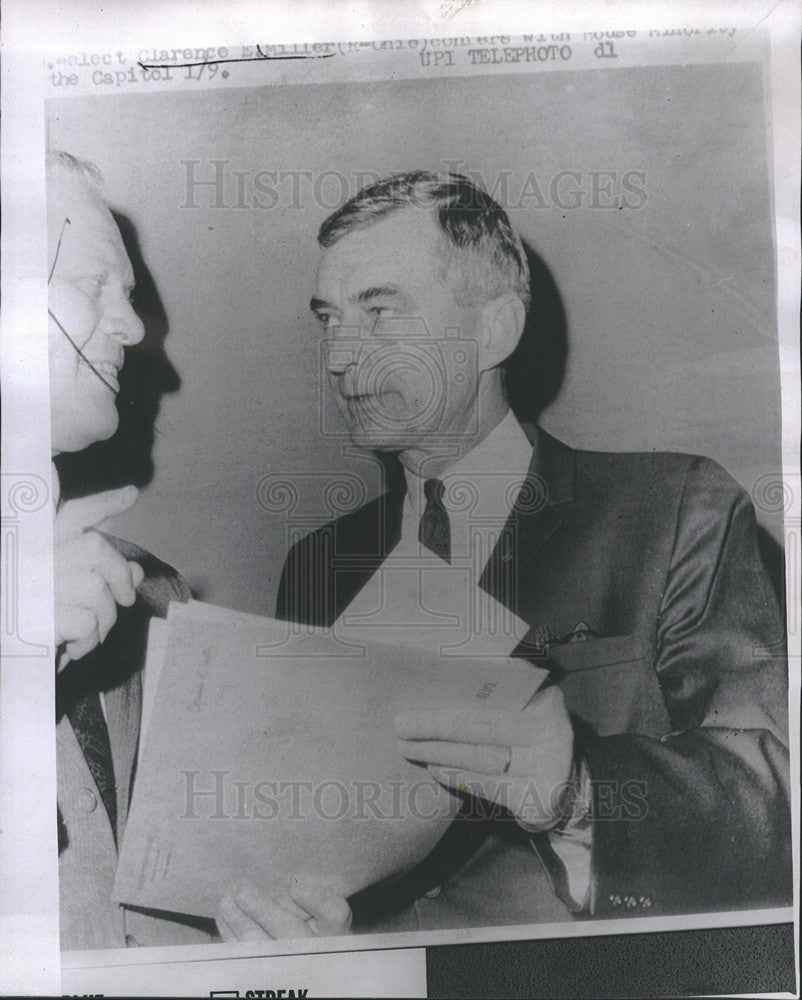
x=670 y=306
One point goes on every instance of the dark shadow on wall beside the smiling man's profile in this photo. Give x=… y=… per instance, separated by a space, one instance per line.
x=146 y=375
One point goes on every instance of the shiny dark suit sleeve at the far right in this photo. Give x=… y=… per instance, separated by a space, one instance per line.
x=700 y=819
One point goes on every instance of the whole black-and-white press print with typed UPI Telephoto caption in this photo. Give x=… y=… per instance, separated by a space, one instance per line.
x=423 y=492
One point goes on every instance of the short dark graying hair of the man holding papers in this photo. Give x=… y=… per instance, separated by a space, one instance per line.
x=482 y=252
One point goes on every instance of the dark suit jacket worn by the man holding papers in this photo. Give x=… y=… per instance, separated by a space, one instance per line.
x=677 y=682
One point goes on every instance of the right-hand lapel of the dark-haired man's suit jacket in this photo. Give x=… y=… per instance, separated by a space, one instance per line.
x=537 y=513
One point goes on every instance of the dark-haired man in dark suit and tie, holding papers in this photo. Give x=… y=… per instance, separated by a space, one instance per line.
x=650 y=774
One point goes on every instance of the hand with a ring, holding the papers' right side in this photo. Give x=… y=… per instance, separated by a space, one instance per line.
x=518 y=759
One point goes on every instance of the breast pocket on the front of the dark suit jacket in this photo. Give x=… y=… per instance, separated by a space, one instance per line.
x=610 y=683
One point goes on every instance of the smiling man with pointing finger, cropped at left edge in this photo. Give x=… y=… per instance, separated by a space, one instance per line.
x=106 y=592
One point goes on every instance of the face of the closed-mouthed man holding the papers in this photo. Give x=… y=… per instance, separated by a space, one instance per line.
x=401 y=354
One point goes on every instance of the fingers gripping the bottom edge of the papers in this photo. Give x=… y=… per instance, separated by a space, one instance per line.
x=305 y=910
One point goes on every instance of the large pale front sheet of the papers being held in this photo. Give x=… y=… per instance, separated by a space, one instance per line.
x=269 y=752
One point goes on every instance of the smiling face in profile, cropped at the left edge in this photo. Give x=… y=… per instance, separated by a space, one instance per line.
x=89 y=294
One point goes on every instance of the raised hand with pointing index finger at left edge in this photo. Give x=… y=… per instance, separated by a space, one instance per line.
x=90 y=577
